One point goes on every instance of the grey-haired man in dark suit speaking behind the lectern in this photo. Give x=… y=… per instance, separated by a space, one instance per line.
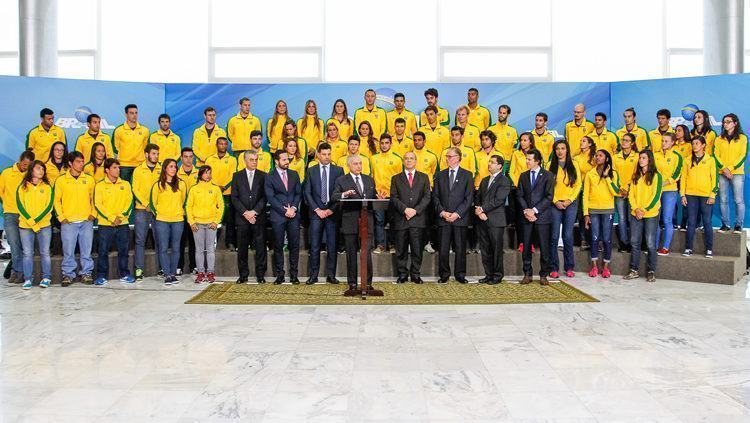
x=359 y=186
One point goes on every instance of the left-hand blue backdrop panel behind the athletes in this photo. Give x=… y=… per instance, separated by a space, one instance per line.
x=71 y=100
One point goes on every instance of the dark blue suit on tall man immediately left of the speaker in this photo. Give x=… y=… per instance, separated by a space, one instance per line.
x=320 y=228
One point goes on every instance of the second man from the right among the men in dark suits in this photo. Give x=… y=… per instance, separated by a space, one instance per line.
x=490 y=212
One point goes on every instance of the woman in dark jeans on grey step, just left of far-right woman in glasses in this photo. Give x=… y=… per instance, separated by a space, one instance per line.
x=698 y=189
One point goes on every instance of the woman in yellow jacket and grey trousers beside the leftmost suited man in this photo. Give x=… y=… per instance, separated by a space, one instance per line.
x=204 y=209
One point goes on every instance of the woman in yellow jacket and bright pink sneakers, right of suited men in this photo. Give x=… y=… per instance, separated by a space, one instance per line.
x=600 y=187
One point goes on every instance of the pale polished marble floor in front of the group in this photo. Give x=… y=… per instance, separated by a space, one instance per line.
x=664 y=352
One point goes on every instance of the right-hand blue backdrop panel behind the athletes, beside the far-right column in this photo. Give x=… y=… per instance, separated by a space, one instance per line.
x=718 y=95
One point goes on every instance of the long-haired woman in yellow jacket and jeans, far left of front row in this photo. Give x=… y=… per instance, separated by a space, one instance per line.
x=35 y=197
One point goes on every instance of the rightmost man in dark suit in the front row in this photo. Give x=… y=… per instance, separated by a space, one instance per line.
x=536 y=188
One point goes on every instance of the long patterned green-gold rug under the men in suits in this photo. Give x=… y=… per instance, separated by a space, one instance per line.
x=508 y=292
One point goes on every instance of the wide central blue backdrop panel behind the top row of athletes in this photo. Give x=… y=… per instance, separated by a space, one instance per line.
x=185 y=102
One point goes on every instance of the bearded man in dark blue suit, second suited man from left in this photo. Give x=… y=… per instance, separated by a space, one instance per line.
x=284 y=193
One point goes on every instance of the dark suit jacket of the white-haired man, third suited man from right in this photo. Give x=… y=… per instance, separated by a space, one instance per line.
x=457 y=200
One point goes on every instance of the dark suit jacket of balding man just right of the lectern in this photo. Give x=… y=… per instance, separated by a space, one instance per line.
x=416 y=197
